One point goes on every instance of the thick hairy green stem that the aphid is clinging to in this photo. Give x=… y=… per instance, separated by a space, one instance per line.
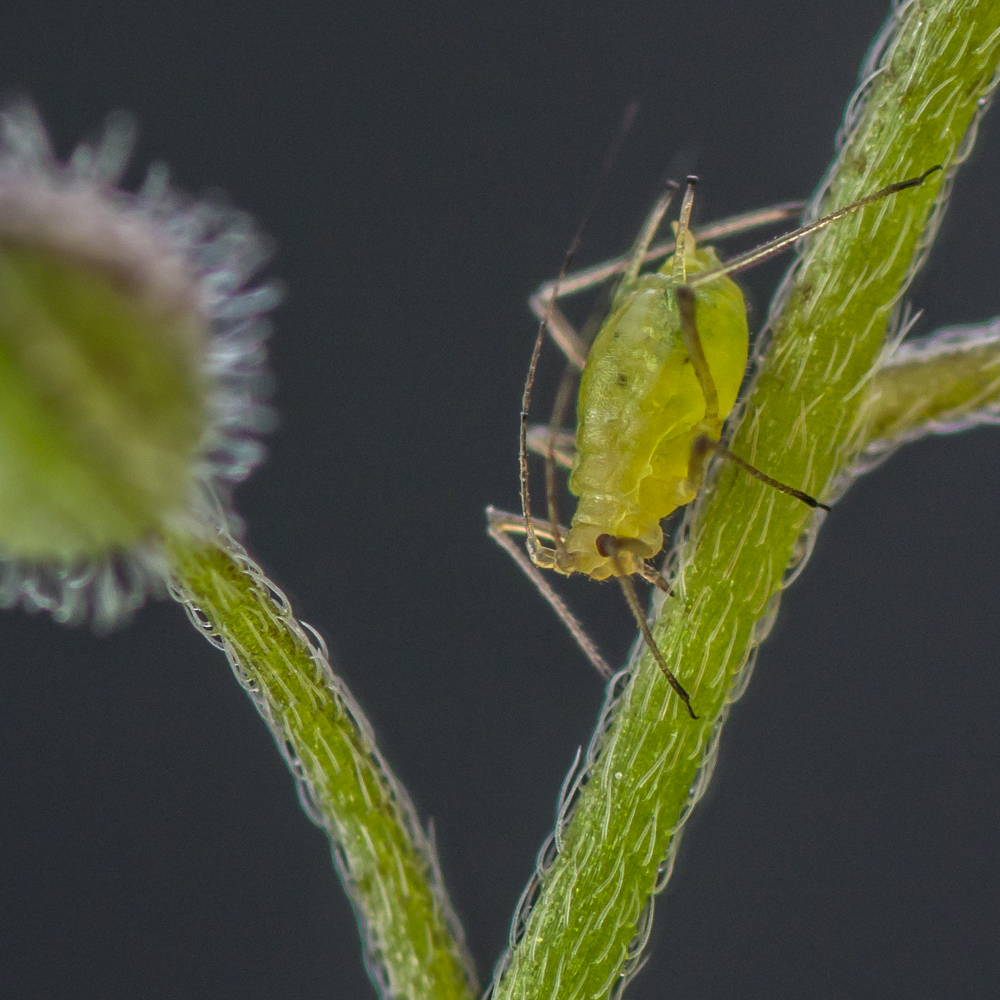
x=804 y=423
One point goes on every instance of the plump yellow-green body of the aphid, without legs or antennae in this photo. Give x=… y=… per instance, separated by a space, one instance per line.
x=640 y=409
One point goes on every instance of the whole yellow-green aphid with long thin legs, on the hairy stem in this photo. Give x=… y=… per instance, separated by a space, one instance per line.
x=659 y=381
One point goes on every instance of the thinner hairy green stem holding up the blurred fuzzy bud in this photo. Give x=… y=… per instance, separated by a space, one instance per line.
x=413 y=944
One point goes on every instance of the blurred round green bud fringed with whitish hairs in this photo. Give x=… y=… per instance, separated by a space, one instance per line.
x=131 y=370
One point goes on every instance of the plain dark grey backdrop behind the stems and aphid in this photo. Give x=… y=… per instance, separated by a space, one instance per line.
x=422 y=167
